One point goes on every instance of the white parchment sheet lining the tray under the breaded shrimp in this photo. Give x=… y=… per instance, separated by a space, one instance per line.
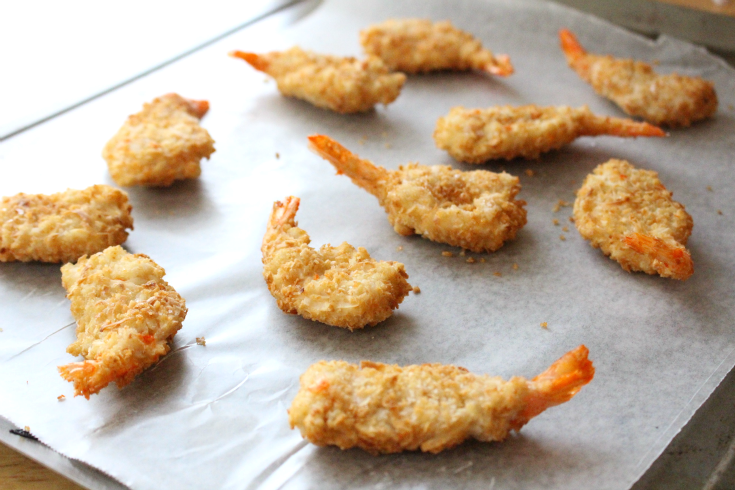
x=214 y=416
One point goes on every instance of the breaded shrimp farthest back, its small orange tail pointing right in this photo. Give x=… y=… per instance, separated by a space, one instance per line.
x=418 y=45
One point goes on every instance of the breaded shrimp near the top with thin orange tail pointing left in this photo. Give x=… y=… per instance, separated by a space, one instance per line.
x=344 y=85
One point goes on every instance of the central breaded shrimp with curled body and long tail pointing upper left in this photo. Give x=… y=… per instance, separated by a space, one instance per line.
x=473 y=210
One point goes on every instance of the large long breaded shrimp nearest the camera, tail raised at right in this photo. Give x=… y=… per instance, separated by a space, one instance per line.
x=384 y=408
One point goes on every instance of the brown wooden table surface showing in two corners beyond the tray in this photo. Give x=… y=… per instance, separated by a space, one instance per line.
x=18 y=472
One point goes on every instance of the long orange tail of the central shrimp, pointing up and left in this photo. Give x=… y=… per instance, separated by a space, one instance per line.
x=362 y=172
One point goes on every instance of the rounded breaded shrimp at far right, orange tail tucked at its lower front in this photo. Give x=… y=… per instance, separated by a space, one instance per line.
x=630 y=215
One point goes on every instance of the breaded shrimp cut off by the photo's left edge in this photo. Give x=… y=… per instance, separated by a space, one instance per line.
x=64 y=226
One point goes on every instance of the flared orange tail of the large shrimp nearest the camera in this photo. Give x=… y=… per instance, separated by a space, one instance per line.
x=557 y=385
